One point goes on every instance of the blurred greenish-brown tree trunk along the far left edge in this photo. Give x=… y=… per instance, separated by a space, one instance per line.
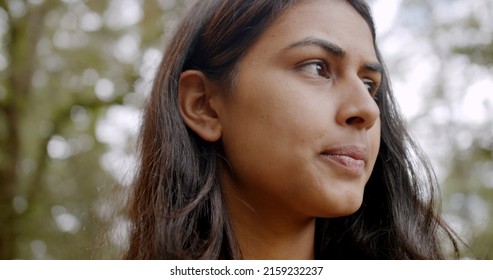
x=20 y=41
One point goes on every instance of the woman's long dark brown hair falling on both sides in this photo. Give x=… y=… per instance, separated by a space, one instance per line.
x=177 y=210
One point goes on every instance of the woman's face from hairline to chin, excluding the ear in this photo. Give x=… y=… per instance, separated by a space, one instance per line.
x=301 y=132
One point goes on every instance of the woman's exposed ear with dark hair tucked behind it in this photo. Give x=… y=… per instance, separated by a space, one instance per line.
x=196 y=96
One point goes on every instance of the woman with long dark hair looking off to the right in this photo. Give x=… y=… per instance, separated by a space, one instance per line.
x=272 y=133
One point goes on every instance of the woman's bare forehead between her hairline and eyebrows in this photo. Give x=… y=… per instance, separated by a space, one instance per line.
x=335 y=21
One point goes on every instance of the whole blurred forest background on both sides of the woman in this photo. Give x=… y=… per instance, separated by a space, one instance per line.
x=74 y=76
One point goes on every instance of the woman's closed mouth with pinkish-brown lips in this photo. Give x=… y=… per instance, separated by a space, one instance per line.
x=350 y=159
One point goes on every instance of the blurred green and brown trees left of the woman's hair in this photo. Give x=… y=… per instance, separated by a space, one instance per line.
x=72 y=77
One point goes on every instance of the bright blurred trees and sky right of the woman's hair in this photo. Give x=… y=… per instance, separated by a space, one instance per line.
x=451 y=44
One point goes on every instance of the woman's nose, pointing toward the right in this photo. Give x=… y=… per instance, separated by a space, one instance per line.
x=357 y=107
